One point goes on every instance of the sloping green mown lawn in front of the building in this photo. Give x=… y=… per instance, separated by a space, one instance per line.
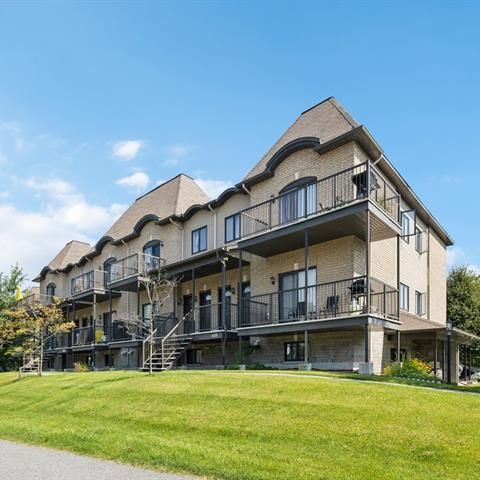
x=248 y=426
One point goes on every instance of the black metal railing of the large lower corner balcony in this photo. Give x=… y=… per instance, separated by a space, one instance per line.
x=327 y=300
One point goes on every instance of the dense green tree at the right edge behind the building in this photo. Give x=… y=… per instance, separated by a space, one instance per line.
x=463 y=302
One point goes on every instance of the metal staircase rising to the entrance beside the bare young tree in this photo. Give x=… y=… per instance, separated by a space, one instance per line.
x=161 y=352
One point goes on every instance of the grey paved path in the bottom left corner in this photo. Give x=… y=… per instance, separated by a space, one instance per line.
x=22 y=462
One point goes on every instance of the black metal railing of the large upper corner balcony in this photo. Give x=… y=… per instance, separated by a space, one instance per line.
x=322 y=196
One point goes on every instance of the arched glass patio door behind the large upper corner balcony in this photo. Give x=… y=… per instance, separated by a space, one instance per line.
x=298 y=199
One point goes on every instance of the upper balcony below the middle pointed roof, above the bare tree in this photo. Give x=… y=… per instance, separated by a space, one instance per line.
x=124 y=273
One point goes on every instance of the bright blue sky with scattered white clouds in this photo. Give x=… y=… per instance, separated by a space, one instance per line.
x=100 y=101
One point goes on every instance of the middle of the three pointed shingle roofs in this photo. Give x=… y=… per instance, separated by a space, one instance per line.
x=172 y=197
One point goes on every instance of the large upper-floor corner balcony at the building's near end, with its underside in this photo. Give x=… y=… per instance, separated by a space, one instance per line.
x=340 y=199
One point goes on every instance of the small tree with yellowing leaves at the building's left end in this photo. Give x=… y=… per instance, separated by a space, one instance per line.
x=27 y=327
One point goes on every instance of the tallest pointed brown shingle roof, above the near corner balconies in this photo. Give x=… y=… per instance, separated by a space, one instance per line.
x=325 y=121
